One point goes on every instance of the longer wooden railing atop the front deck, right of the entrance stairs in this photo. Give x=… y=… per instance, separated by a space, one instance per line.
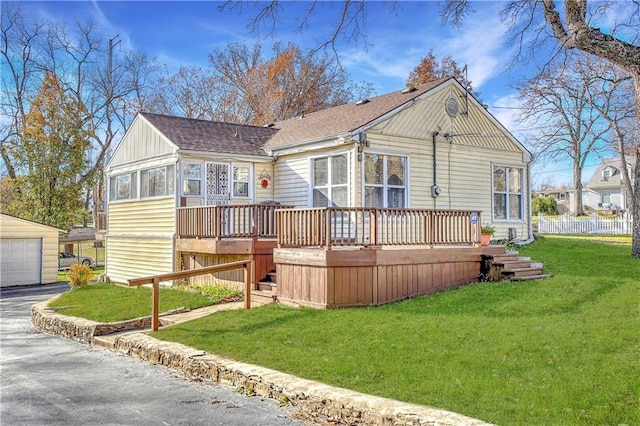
x=362 y=226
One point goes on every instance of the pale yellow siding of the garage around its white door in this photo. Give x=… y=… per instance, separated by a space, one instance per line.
x=15 y=228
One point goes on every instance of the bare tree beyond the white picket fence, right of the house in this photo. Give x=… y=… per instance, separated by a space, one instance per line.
x=565 y=104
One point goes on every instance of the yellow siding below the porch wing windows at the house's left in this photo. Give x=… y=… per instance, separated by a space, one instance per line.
x=140 y=238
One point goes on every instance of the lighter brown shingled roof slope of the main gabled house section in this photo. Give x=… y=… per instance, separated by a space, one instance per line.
x=343 y=118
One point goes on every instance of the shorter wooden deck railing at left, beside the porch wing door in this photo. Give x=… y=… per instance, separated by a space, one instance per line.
x=244 y=221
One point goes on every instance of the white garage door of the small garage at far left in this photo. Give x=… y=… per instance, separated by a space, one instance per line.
x=20 y=261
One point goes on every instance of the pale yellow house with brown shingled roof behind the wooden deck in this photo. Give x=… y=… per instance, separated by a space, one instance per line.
x=429 y=148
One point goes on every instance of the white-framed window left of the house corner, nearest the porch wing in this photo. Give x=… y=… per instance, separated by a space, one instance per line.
x=330 y=181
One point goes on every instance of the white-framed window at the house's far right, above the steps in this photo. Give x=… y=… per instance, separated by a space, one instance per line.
x=507 y=193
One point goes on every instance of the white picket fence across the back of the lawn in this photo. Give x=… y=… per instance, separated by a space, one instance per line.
x=594 y=224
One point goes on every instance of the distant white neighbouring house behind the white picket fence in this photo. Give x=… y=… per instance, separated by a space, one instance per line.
x=606 y=191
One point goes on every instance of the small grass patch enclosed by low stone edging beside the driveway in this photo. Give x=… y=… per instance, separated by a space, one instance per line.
x=109 y=303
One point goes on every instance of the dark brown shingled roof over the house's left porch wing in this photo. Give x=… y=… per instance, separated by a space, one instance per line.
x=211 y=136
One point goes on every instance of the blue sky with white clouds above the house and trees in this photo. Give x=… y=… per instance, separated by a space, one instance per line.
x=183 y=33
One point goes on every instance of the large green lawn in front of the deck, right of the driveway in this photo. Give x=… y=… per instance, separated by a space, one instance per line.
x=559 y=351
